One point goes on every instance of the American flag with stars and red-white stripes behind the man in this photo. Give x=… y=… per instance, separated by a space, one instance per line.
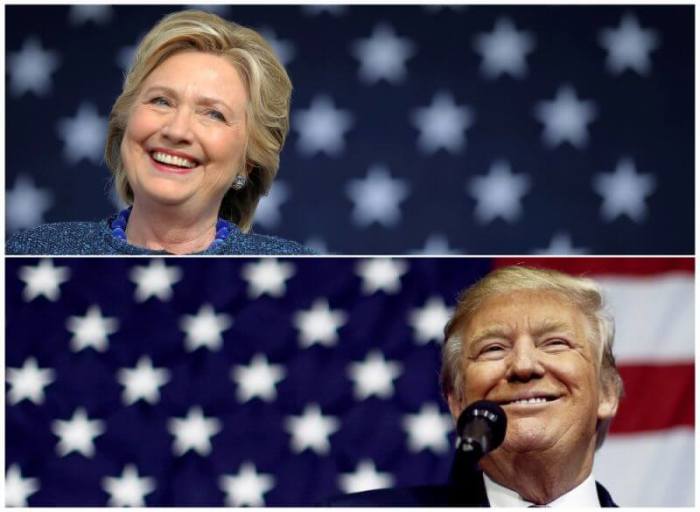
x=216 y=382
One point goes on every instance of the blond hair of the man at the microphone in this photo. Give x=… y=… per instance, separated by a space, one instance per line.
x=582 y=292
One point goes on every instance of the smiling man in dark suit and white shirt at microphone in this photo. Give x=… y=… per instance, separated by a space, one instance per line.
x=538 y=343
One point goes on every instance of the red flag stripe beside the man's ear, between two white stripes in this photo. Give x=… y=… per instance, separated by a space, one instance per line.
x=657 y=397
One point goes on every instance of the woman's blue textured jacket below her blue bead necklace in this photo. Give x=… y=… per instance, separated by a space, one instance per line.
x=85 y=238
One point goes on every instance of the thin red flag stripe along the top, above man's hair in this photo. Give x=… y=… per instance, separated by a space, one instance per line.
x=605 y=266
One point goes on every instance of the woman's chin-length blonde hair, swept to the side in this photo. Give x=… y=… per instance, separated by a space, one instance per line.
x=266 y=81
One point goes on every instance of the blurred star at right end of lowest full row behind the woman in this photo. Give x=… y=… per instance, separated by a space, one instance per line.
x=624 y=191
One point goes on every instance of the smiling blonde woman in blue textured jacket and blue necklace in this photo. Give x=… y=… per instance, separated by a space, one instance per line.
x=193 y=142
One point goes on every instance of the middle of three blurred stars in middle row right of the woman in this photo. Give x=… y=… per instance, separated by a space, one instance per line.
x=442 y=124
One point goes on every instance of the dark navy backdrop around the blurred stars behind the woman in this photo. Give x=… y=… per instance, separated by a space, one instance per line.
x=646 y=118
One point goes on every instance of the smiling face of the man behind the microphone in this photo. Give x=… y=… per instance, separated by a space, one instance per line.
x=531 y=352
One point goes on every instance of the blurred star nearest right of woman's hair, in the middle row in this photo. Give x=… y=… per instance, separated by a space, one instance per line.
x=322 y=127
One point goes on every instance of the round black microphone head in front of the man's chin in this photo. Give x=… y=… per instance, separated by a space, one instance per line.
x=488 y=419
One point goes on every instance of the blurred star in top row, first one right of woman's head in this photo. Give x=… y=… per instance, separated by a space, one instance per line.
x=383 y=55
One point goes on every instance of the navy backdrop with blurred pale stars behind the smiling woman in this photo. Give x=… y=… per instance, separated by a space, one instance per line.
x=471 y=129
